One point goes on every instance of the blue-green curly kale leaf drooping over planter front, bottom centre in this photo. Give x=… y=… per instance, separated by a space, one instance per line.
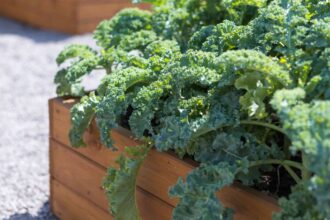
x=197 y=194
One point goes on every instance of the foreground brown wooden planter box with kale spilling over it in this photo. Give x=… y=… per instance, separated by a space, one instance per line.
x=76 y=176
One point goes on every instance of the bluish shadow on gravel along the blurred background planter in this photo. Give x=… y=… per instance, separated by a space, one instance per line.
x=10 y=27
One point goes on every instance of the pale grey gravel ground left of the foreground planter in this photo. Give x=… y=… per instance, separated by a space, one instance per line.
x=27 y=68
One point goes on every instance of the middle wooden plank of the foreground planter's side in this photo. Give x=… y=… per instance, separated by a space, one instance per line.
x=84 y=177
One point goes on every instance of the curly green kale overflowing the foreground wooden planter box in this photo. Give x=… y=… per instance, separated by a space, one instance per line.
x=242 y=87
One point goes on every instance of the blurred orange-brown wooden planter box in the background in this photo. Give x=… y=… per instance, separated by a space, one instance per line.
x=68 y=16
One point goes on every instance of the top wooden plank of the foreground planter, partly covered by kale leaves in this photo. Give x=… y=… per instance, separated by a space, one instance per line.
x=160 y=170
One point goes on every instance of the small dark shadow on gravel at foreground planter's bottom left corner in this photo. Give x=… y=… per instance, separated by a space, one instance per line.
x=43 y=214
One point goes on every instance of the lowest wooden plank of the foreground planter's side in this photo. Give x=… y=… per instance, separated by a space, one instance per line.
x=68 y=205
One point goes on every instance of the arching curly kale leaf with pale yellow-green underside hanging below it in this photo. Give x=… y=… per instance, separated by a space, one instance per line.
x=255 y=73
